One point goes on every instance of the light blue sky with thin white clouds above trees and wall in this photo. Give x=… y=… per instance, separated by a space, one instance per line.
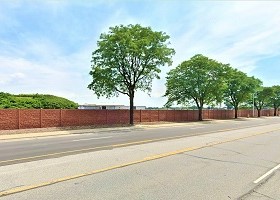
x=46 y=46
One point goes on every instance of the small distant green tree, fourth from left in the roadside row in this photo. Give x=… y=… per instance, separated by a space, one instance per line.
x=262 y=98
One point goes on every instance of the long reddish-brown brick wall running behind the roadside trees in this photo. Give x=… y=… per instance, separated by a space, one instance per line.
x=42 y=118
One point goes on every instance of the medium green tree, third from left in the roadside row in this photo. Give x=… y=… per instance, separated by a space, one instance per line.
x=239 y=88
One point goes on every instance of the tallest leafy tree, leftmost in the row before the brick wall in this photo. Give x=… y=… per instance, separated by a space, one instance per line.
x=127 y=59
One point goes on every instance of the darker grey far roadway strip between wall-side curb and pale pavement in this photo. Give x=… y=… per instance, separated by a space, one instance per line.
x=42 y=148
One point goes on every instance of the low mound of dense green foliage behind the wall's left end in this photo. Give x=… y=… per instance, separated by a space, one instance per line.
x=35 y=101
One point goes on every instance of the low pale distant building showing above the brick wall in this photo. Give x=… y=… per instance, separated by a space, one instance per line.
x=108 y=107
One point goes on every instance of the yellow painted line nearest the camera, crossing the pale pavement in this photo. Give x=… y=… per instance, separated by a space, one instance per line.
x=146 y=159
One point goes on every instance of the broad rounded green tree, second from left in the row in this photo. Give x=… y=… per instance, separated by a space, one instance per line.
x=199 y=80
